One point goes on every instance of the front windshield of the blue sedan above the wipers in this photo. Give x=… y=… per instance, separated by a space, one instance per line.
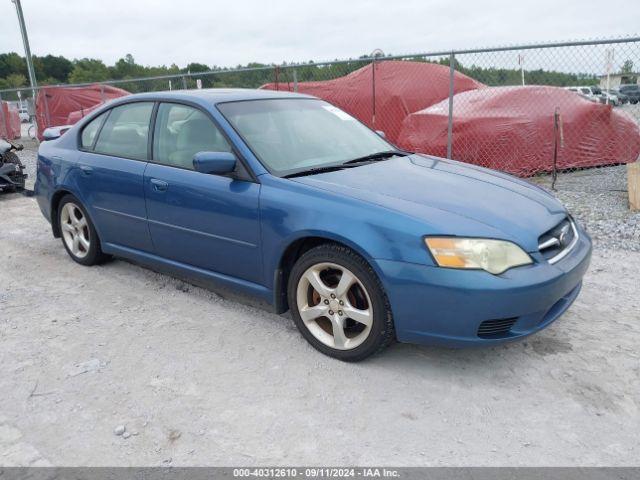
x=298 y=134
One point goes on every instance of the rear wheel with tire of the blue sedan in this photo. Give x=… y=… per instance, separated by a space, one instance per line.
x=74 y=222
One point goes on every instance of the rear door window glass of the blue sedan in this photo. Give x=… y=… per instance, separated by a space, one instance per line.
x=126 y=131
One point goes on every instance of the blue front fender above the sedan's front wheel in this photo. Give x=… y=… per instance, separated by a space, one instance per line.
x=291 y=211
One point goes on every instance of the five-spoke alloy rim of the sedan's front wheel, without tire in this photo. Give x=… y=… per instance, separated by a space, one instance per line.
x=335 y=306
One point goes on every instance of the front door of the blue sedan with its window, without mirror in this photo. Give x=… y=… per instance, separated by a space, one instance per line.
x=207 y=221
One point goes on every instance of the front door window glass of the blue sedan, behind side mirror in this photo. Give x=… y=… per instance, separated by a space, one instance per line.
x=181 y=132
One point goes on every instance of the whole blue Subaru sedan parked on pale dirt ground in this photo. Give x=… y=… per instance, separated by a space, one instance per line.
x=289 y=199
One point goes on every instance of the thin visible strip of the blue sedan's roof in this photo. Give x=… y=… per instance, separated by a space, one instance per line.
x=217 y=95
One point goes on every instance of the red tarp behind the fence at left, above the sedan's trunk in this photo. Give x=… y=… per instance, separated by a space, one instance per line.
x=54 y=104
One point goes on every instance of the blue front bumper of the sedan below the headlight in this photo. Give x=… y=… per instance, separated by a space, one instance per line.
x=433 y=305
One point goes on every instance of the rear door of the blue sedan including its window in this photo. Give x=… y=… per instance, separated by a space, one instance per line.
x=114 y=152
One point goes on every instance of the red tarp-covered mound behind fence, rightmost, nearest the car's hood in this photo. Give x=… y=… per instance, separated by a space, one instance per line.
x=512 y=129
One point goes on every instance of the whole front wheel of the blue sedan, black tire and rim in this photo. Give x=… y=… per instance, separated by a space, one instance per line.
x=319 y=291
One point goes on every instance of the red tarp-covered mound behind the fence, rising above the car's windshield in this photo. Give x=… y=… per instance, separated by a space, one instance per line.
x=400 y=89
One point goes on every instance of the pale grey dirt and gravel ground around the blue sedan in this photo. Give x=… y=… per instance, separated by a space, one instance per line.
x=196 y=379
